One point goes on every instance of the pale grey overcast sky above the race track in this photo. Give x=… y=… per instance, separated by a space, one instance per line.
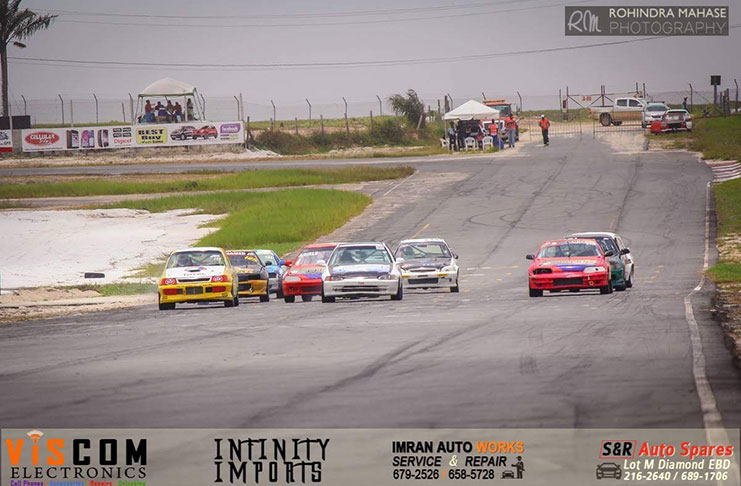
x=426 y=31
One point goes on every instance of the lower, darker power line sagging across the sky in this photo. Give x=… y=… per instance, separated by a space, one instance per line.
x=306 y=65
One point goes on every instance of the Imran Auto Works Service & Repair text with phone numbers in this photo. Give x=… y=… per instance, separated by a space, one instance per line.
x=458 y=459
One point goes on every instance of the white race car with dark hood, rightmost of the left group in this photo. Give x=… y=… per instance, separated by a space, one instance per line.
x=428 y=263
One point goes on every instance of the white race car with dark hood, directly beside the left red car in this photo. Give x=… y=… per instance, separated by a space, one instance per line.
x=361 y=270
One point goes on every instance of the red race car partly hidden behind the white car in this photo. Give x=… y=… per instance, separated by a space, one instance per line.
x=304 y=278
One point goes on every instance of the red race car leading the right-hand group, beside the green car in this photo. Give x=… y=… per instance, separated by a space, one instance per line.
x=572 y=265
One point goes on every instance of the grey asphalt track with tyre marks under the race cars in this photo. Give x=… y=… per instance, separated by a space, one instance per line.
x=489 y=356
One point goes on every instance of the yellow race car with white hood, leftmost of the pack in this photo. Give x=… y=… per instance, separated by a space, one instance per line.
x=195 y=275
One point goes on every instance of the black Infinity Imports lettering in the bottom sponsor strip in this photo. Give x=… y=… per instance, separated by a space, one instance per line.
x=262 y=460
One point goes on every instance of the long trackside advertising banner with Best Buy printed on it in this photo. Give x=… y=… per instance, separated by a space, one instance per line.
x=145 y=135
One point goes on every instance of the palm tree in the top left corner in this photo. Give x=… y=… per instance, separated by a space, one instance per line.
x=16 y=25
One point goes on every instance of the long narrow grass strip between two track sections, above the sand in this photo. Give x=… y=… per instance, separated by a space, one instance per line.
x=95 y=186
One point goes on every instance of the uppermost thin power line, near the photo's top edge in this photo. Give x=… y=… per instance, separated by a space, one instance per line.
x=319 y=24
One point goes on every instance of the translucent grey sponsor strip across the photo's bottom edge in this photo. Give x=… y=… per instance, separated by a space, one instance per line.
x=373 y=457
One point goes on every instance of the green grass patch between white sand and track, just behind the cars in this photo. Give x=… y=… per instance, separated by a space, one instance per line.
x=281 y=220
